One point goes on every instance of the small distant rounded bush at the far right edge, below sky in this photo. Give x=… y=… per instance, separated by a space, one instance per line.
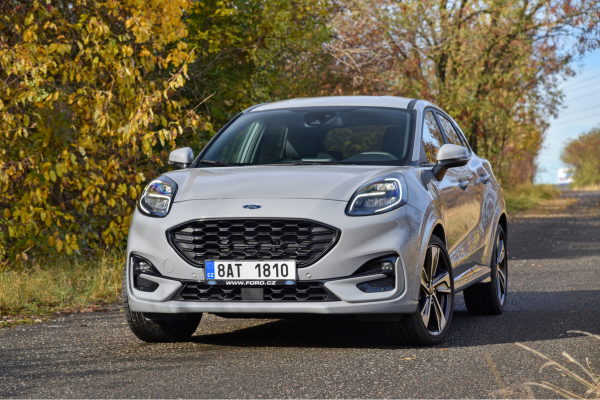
x=583 y=153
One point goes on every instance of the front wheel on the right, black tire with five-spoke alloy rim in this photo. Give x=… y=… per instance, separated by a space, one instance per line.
x=412 y=329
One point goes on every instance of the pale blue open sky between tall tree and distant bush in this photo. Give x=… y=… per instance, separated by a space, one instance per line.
x=582 y=98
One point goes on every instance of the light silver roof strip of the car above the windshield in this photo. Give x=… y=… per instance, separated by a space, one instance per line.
x=365 y=101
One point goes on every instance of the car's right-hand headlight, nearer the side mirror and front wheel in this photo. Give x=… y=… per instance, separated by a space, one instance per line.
x=379 y=195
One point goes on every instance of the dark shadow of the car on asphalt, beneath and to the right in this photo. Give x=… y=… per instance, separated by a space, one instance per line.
x=572 y=310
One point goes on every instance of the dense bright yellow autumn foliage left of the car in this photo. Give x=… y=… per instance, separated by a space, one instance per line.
x=90 y=105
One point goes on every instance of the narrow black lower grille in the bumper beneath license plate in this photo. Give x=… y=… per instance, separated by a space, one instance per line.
x=306 y=291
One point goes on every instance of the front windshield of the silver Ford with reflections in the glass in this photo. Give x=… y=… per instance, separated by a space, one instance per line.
x=319 y=135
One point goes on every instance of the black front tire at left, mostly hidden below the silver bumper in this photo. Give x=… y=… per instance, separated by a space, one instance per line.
x=159 y=331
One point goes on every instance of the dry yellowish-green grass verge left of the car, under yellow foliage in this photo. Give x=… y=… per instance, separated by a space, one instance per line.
x=68 y=285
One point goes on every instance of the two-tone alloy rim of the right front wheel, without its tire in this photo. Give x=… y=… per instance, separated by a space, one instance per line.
x=436 y=291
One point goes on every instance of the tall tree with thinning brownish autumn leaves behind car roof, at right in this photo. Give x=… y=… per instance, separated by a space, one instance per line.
x=493 y=65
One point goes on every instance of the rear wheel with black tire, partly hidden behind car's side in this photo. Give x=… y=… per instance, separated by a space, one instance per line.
x=490 y=298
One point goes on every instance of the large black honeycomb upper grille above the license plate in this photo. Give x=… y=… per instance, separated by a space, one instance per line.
x=256 y=239
